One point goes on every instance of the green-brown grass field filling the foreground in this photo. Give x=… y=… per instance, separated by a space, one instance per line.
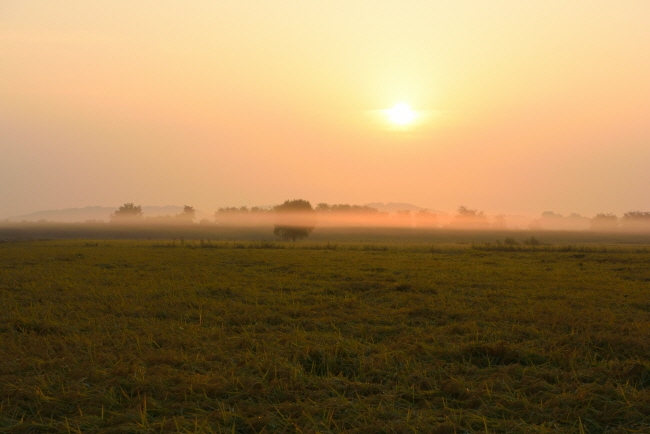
x=191 y=336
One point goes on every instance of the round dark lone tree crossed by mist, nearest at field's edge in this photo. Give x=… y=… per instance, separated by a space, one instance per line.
x=296 y=220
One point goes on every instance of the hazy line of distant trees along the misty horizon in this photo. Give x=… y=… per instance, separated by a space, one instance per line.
x=296 y=219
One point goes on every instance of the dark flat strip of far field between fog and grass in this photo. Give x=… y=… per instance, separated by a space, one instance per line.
x=390 y=235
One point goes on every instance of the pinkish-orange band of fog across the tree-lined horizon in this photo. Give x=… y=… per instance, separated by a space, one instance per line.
x=323 y=215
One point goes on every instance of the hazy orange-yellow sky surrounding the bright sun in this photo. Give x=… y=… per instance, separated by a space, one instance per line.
x=519 y=107
